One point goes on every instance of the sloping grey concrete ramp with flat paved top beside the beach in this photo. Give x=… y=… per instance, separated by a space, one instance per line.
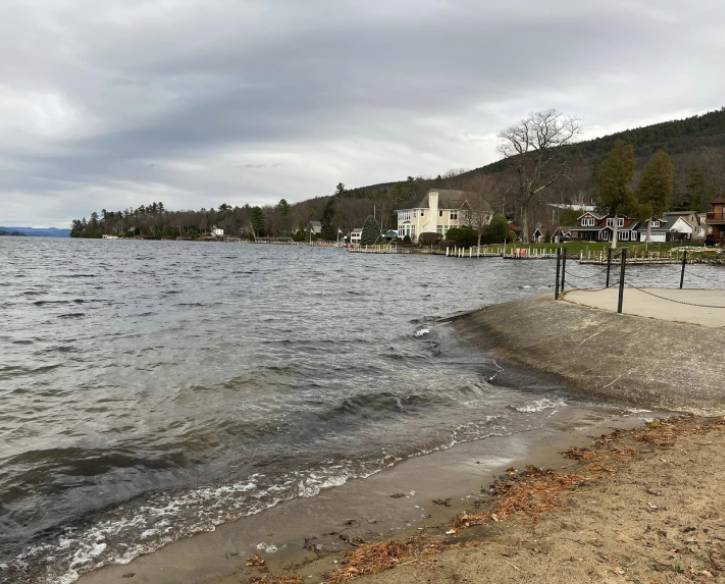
x=665 y=351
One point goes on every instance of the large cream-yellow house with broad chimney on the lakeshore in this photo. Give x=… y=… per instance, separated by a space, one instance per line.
x=440 y=210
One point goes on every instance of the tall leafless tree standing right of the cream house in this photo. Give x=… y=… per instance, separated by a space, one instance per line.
x=531 y=146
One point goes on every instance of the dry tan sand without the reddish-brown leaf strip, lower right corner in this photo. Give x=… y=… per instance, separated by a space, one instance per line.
x=658 y=517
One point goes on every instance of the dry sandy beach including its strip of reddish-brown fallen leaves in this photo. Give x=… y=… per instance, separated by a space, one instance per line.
x=637 y=505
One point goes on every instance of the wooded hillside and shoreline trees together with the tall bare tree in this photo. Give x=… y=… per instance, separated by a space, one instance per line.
x=542 y=164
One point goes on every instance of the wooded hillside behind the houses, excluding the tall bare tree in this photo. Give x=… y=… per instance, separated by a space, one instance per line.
x=696 y=144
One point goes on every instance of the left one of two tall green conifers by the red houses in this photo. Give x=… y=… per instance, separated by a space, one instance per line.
x=615 y=179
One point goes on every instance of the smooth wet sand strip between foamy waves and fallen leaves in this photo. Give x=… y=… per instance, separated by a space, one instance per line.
x=314 y=533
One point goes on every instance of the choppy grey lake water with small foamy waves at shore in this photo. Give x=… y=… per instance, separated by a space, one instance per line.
x=152 y=390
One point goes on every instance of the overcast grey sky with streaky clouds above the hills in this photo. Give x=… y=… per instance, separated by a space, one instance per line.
x=117 y=103
